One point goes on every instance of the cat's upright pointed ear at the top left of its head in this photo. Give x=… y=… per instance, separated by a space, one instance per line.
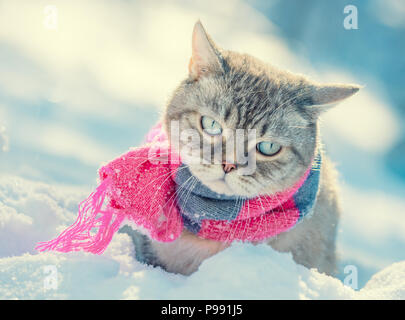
x=205 y=56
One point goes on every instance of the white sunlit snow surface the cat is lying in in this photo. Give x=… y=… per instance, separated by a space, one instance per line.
x=32 y=212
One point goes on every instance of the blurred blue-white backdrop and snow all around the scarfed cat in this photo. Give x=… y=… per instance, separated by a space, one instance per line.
x=79 y=95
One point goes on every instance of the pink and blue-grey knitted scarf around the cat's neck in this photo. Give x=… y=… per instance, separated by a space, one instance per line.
x=146 y=186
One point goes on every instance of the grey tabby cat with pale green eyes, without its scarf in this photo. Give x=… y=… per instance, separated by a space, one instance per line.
x=225 y=89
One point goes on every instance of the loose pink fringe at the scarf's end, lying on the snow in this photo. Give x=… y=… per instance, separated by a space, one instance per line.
x=91 y=216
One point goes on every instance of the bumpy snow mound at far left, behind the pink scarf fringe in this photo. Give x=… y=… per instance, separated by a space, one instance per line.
x=31 y=211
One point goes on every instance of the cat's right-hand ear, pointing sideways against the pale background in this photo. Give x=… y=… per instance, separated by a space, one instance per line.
x=325 y=96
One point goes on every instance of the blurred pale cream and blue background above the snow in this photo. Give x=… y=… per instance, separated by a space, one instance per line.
x=81 y=86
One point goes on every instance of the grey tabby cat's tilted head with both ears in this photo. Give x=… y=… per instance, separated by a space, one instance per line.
x=228 y=92
